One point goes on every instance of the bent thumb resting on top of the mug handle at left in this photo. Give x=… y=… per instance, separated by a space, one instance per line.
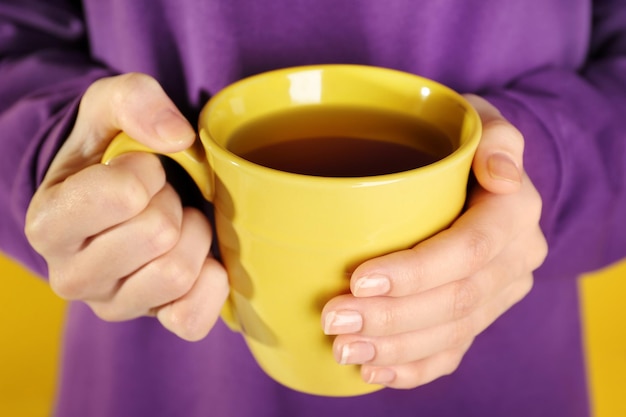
x=136 y=104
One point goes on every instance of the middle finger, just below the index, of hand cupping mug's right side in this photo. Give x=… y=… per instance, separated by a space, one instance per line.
x=384 y=316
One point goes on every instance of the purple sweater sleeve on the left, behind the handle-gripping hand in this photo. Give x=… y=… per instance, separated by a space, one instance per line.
x=44 y=69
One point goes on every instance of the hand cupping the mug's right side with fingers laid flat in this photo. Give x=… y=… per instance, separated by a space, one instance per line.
x=413 y=314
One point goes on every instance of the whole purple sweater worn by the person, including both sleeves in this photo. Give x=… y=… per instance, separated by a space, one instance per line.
x=555 y=68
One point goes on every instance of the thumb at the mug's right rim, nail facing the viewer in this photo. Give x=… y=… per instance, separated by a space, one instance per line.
x=498 y=163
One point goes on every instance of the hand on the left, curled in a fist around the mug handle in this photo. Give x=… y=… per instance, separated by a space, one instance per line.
x=117 y=236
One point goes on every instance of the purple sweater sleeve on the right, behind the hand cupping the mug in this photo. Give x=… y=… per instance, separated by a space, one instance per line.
x=574 y=123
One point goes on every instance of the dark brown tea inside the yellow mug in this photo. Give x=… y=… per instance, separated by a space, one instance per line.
x=340 y=142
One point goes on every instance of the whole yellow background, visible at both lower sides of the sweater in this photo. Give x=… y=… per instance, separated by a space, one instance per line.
x=31 y=323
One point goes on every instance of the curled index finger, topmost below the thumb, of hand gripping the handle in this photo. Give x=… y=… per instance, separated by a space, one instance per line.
x=94 y=200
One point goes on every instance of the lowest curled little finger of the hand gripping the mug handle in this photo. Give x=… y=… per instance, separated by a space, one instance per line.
x=192 y=316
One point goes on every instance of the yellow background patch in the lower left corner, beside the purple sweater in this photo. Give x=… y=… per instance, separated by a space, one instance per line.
x=30 y=325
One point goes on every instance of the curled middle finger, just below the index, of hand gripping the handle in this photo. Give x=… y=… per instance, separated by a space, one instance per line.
x=151 y=234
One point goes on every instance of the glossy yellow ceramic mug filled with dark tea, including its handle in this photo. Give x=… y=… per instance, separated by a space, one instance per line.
x=324 y=195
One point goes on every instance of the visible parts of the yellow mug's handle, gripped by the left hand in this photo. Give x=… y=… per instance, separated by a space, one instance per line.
x=194 y=161
